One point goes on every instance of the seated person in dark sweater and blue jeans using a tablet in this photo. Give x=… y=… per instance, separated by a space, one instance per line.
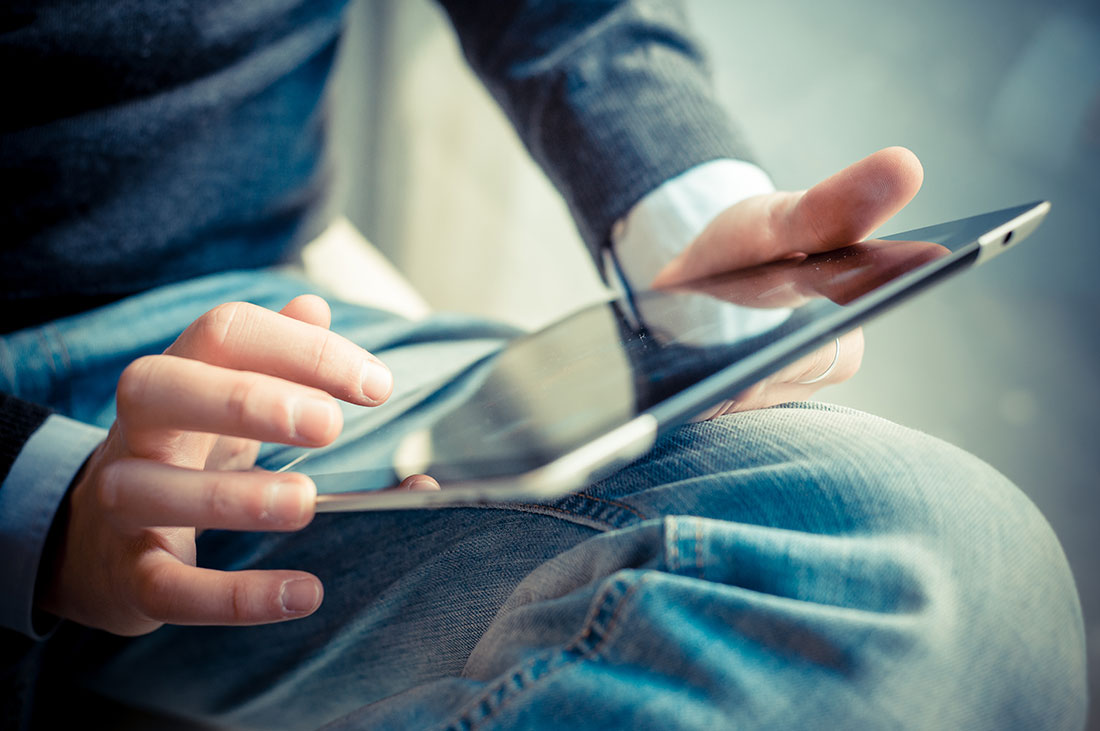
x=789 y=564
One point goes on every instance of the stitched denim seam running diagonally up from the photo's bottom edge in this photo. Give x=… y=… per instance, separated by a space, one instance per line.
x=560 y=660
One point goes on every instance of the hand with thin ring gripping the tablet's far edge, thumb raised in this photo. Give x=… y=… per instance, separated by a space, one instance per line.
x=840 y=212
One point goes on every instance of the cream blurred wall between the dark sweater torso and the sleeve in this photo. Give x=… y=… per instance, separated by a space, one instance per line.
x=443 y=185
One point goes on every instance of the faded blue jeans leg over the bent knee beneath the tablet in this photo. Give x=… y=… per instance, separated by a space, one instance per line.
x=807 y=567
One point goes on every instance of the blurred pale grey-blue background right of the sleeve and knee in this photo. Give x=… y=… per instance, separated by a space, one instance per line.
x=1002 y=102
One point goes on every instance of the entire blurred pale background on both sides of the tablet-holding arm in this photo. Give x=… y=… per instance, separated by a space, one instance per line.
x=1002 y=103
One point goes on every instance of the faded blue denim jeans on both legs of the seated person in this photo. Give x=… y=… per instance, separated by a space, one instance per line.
x=801 y=567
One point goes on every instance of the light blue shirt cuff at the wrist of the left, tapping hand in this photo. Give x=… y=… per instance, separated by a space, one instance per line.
x=30 y=497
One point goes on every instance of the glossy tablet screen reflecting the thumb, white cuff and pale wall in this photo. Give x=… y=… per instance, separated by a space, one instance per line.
x=553 y=392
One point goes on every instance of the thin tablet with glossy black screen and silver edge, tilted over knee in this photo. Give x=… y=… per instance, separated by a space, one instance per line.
x=552 y=412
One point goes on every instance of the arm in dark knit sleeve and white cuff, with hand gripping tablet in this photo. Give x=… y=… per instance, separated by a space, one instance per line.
x=613 y=101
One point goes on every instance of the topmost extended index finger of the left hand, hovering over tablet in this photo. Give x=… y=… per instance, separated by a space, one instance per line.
x=246 y=337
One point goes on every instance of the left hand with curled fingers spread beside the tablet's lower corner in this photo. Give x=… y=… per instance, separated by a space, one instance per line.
x=180 y=458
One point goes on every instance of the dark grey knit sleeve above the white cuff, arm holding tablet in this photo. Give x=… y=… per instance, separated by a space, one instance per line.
x=611 y=98
